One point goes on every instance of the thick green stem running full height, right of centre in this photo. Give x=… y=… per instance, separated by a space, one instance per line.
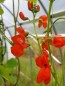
x=48 y=29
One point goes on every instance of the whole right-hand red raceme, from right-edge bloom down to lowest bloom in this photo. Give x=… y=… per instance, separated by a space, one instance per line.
x=44 y=74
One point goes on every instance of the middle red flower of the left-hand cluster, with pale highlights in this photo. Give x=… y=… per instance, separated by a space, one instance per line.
x=19 y=41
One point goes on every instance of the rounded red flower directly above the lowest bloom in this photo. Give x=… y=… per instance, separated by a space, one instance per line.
x=41 y=61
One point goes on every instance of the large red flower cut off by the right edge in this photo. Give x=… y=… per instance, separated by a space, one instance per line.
x=58 y=41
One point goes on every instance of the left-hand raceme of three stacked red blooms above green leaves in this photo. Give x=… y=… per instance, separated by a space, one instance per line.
x=19 y=43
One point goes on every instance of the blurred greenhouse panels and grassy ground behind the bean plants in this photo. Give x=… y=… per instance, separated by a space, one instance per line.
x=29 y=69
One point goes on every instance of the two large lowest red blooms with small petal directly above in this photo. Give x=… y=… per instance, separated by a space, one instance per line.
x=44 y=75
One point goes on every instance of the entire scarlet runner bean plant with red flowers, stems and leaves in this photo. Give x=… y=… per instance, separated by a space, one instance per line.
x=19 y=43
